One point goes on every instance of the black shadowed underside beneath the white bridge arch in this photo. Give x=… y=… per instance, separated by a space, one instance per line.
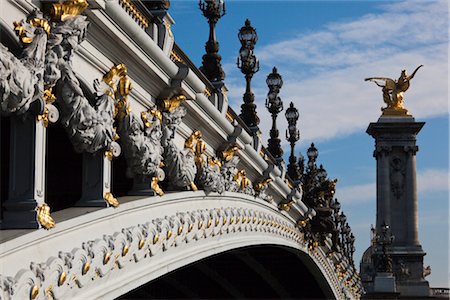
x=256 y=272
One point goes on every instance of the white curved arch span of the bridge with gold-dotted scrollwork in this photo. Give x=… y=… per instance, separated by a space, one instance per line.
x=107 y=253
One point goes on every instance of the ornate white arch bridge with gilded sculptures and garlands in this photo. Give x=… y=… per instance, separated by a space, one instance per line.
x=128 y=174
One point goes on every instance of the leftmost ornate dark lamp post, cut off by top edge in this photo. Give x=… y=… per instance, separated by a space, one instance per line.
x=213 y=10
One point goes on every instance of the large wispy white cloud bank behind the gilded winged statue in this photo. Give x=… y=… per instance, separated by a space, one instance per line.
x=323 y=70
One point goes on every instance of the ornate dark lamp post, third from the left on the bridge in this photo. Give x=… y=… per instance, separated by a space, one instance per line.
x=275 y=106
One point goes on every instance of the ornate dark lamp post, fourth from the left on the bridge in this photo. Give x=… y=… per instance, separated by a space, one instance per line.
x=293 y=135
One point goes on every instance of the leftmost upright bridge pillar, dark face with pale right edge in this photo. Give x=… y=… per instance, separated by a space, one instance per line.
x=27 y=173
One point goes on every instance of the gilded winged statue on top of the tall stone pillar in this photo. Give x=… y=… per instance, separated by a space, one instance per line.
x=393 y=92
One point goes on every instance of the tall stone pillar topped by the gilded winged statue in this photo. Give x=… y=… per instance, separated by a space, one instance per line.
x=395 y=143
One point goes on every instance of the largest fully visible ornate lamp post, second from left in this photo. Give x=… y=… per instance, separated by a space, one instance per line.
x=249 y=65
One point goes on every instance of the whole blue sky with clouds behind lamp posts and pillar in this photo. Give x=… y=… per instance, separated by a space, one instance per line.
x=324 y=50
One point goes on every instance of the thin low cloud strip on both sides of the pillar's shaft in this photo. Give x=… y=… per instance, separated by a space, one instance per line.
x=431 y=180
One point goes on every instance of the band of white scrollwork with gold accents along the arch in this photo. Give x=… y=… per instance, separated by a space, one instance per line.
x=63 y=275
